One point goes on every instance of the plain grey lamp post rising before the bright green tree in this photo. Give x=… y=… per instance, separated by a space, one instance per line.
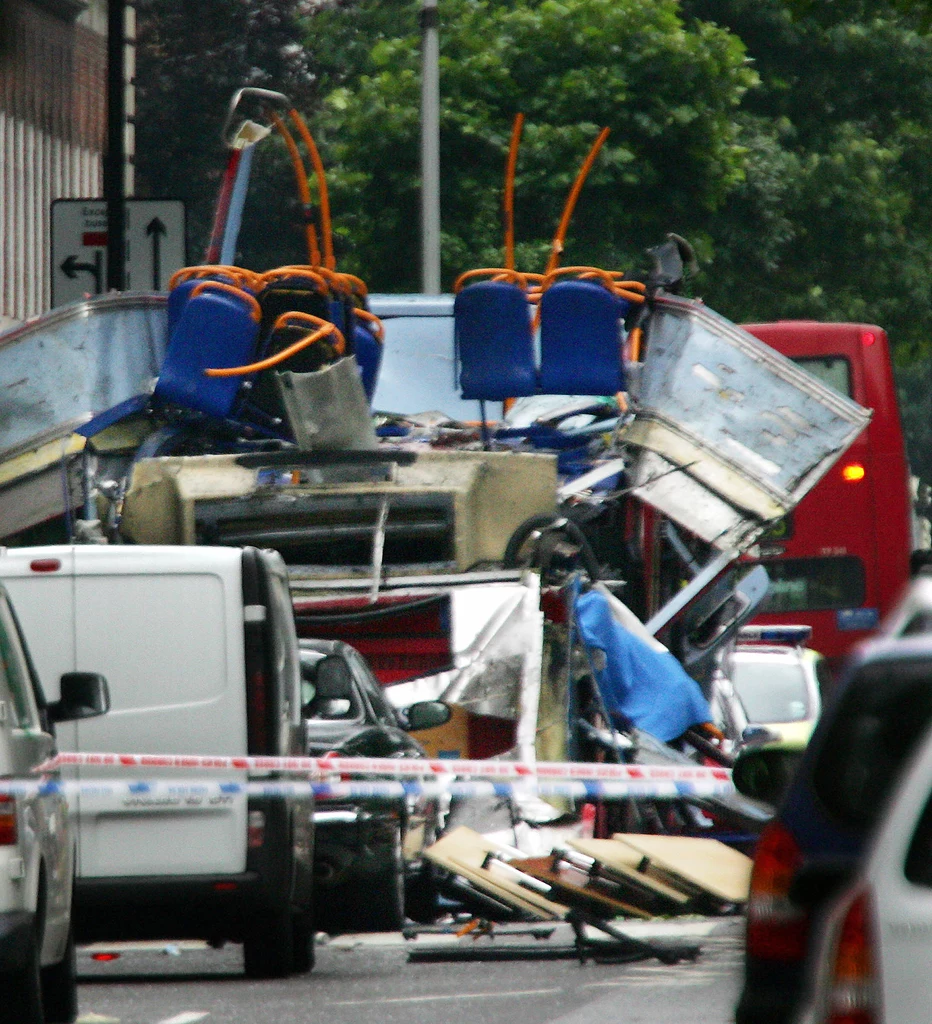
x=431 y=150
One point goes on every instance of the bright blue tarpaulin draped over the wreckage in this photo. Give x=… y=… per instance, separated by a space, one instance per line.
x=641 y=688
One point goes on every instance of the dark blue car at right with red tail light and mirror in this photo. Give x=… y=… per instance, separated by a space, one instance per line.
x=816 y=842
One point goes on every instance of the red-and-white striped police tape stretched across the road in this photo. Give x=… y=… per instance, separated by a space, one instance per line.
x=579 y=772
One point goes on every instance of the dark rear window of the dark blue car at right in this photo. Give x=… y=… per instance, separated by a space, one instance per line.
x=879 y=719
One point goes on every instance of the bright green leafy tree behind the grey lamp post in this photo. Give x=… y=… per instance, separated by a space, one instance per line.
x=668 y=92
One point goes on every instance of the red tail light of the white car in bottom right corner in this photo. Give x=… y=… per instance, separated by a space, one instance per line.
x=853 y=987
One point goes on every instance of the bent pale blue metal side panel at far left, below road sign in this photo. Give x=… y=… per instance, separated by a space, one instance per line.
x=76 y=361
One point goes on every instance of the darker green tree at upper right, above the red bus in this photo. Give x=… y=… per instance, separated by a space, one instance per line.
x=833 y=218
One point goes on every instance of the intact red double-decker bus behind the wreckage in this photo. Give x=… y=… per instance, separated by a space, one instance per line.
x=841 y=560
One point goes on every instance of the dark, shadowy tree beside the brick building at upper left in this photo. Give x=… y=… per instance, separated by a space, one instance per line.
x=192 y=59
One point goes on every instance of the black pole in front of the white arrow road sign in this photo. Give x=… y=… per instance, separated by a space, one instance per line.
x=115 y=160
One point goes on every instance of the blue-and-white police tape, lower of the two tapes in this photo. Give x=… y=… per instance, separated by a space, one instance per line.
x=165 y=794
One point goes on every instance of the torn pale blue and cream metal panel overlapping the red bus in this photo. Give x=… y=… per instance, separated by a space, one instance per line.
x=731 y=435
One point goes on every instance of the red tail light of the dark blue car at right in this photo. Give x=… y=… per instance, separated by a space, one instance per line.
x=778 y=928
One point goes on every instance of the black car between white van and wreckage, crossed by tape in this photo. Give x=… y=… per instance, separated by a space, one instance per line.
x=368 y=861
